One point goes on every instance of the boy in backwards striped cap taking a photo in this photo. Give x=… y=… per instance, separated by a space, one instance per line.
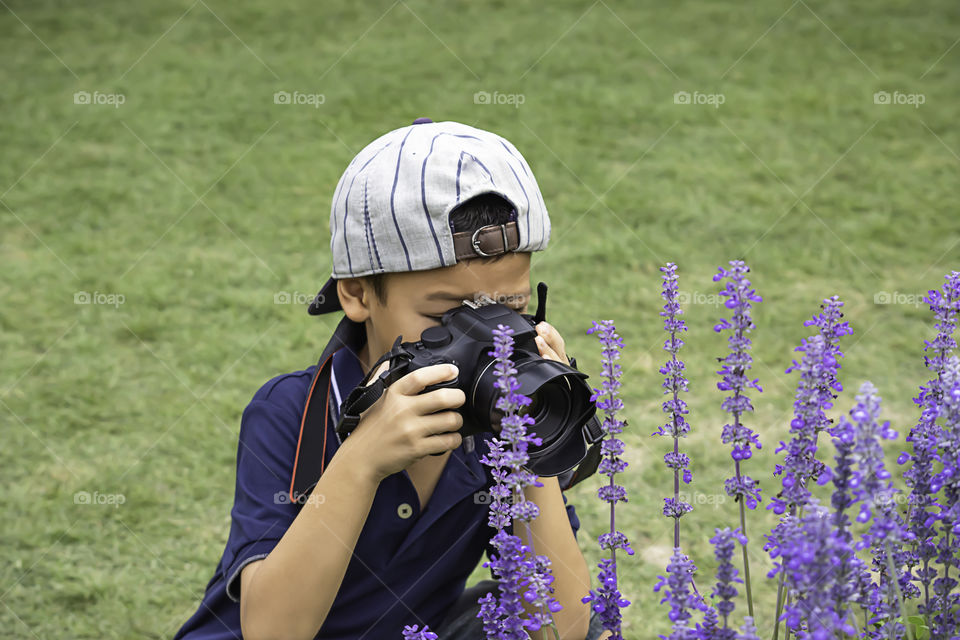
x=359 y=537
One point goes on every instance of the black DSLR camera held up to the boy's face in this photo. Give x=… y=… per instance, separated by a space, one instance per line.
x=564 y=415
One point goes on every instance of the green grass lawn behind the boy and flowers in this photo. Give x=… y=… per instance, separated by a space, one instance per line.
x=199 y=198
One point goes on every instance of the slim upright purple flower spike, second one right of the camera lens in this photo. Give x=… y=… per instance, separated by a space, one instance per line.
x=673 y=383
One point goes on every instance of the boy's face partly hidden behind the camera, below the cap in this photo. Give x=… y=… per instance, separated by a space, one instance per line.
x=415 y=300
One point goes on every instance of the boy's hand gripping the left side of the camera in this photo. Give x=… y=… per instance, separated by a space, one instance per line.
x=404 y=425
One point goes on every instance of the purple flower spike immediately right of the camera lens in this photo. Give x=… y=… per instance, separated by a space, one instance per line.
x=607 y=600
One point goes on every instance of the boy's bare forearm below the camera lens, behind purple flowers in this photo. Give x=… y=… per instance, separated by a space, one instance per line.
x=553 y=537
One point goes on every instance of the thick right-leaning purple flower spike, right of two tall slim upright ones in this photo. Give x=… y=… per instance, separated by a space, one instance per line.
x=818 y=380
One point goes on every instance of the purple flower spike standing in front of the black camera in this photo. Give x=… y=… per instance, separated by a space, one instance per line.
x=519 y=577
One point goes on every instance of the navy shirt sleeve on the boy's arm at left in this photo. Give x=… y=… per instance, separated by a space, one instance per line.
x=262 y=511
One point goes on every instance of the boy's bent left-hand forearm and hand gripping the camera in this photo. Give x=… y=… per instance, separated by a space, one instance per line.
x=289 y=593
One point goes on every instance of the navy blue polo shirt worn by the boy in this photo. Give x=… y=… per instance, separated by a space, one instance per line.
x=408 y=566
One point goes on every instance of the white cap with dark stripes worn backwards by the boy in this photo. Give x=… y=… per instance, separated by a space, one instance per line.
x=390 y=209
